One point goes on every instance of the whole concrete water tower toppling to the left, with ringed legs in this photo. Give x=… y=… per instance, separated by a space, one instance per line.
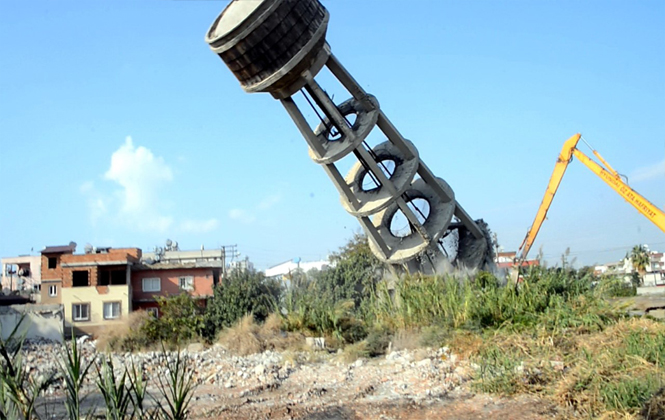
x=279 y=47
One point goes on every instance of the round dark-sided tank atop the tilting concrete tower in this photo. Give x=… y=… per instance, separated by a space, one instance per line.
x=267 y=44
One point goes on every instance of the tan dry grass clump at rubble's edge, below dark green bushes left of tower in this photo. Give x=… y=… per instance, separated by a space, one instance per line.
x=248 y=337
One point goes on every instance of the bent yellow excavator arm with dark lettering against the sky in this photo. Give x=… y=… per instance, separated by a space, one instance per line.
x=605 y=172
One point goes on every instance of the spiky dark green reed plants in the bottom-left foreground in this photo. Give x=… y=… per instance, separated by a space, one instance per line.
x=124 y=394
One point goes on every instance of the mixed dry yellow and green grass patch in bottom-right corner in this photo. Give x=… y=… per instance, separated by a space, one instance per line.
x=610 y=374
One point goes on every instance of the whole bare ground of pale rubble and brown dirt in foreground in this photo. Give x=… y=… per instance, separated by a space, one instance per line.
x=406 y=384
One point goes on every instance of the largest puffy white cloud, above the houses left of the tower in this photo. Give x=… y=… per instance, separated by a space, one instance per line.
x=139 y=201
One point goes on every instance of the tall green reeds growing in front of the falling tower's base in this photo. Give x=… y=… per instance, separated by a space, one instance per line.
x=553 y=299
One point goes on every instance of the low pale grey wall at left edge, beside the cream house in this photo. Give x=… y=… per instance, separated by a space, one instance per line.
x=39 y=321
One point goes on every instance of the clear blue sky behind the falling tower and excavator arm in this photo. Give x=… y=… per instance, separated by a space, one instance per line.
x=119 y=127
